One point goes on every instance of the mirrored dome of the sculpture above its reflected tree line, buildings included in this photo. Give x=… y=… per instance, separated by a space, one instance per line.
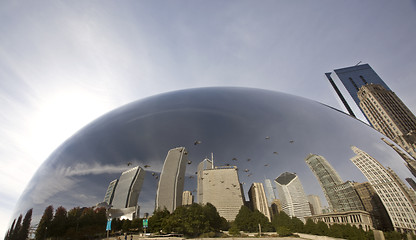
x=219 y=145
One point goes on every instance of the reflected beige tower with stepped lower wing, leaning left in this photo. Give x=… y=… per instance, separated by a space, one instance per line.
x=341 y=196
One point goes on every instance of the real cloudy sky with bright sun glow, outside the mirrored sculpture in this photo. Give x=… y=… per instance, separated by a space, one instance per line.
x=65 y=63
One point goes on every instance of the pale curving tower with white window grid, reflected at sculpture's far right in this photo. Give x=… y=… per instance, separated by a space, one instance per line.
x=398 y=206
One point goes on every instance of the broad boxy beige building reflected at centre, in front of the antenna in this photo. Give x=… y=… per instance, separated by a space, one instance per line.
x=222 y=188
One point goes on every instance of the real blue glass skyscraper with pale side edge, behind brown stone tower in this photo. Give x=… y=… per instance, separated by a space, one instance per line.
x=347 y=82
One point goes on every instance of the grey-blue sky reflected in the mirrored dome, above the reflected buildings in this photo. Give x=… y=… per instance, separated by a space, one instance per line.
x=263 y=133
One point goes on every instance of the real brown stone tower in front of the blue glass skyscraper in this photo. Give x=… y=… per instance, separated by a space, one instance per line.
x=388 y=114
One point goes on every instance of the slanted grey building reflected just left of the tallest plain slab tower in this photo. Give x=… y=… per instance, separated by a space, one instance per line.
x=128 y=188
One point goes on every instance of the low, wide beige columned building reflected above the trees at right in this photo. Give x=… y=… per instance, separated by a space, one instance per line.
x=359 y=219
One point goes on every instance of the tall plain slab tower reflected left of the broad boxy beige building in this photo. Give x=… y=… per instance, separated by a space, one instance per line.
x=172 y=179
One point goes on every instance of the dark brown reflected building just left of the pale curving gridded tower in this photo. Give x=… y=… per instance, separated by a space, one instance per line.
x=372 y=204
